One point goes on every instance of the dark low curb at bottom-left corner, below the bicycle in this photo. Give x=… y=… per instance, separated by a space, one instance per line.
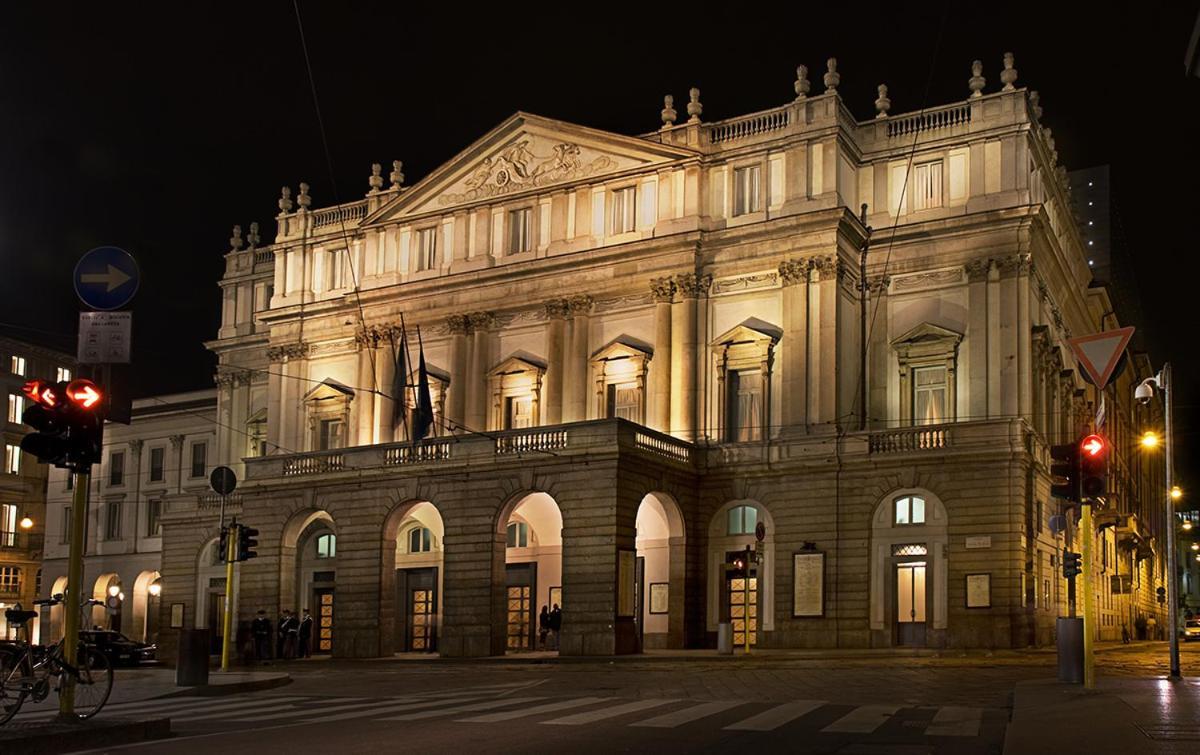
x=53 y=739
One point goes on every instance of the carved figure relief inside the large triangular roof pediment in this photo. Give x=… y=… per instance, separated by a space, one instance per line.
x=518 y=169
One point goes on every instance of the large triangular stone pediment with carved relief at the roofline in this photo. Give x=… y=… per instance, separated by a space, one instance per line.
x=526 y=154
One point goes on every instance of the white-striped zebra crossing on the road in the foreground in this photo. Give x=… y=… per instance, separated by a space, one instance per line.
x=526 y=704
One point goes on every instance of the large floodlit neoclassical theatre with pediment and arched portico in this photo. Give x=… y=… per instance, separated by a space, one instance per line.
x=838 y=341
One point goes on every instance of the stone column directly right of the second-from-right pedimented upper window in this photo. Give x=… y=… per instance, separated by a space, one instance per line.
x=795 y=277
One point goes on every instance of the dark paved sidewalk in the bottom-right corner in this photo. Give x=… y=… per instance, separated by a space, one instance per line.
x=1120 y=716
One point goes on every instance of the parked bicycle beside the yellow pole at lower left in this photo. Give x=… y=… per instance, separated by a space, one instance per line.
x=28 y=670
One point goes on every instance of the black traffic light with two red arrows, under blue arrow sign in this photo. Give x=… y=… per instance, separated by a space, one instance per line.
x=69 y=423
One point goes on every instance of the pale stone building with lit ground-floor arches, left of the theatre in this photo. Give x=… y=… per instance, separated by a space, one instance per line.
x=169 y=450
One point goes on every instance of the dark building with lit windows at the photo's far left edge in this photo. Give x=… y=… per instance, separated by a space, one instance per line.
x=23 y=481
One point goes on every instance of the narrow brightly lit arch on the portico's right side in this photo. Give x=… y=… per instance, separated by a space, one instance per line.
x=662 y=555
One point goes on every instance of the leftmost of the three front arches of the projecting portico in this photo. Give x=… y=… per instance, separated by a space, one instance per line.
x=309 y=577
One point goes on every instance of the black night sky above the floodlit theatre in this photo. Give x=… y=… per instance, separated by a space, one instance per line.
x=159 y=128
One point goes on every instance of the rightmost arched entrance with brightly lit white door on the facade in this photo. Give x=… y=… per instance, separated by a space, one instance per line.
x=908 y=594
